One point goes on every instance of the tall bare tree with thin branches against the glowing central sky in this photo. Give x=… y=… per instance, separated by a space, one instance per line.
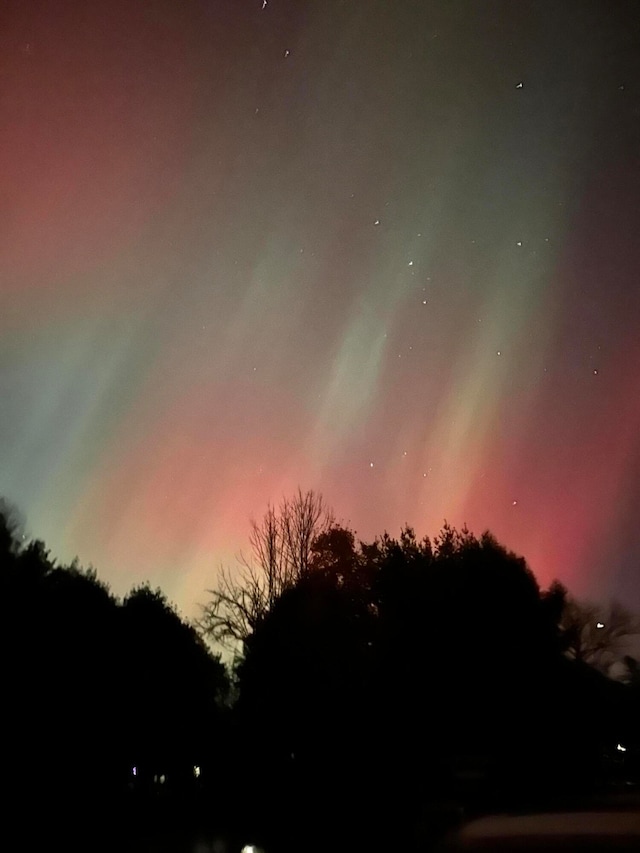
x=281 y=553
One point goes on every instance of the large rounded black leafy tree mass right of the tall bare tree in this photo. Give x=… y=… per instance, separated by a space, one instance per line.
x=421 y=662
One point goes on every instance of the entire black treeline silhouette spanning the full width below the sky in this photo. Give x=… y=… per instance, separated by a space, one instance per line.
x=373 y=683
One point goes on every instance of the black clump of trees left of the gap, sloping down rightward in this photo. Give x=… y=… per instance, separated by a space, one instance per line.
x=101 y=695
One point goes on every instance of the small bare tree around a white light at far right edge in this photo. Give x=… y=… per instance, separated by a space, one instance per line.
x=597 y=635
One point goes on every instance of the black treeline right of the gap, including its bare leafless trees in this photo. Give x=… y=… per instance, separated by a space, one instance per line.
x=380 y=681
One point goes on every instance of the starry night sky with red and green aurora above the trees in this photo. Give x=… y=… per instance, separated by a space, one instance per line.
x=386 y=250
